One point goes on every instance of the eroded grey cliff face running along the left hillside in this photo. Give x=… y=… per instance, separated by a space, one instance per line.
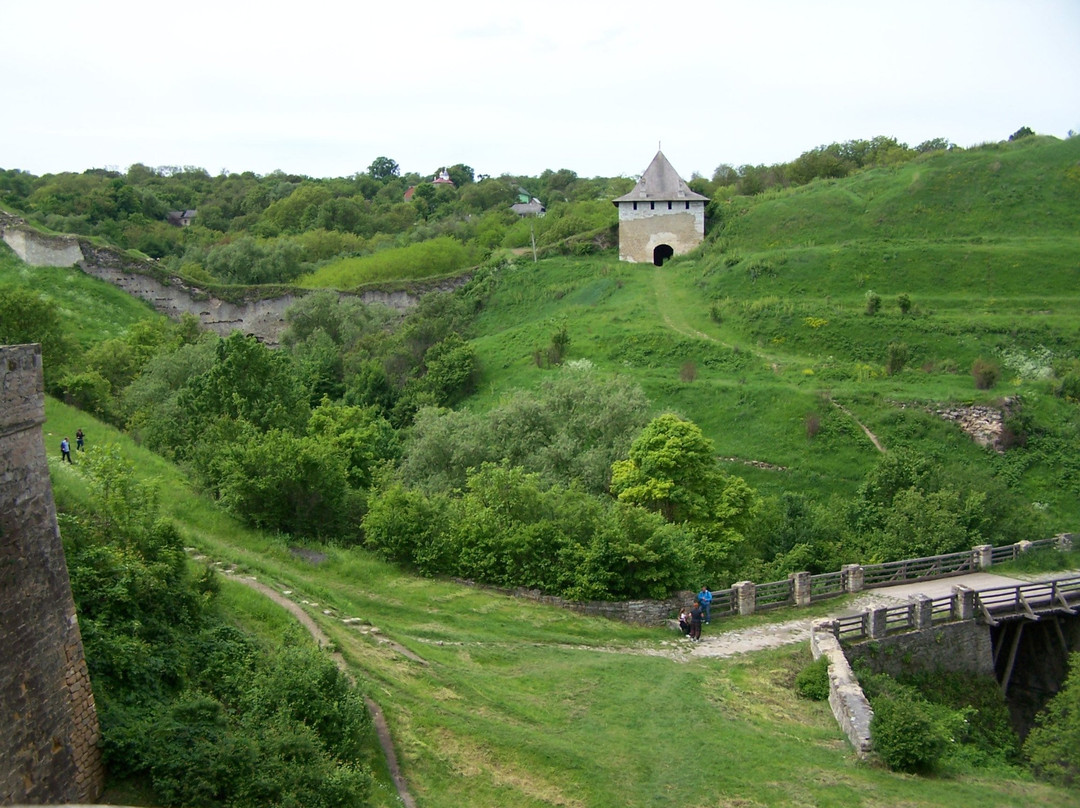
x=264 y=318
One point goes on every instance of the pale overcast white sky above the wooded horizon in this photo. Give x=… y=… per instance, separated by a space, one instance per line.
x=322 y=88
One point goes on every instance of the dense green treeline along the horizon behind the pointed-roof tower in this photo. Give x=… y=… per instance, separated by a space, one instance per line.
x=277 y=228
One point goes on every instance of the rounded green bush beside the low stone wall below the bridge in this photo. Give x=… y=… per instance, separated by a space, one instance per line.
x=904 y=734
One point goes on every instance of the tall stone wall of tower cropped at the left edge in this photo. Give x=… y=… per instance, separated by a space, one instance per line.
x=49 y=730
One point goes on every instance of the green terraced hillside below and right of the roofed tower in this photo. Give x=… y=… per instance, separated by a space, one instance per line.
x=984 y=243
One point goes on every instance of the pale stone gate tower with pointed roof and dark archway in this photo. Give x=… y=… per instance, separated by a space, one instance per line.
x=661 y=218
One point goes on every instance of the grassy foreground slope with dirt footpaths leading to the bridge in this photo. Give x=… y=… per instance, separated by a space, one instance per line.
x=523 y=705
